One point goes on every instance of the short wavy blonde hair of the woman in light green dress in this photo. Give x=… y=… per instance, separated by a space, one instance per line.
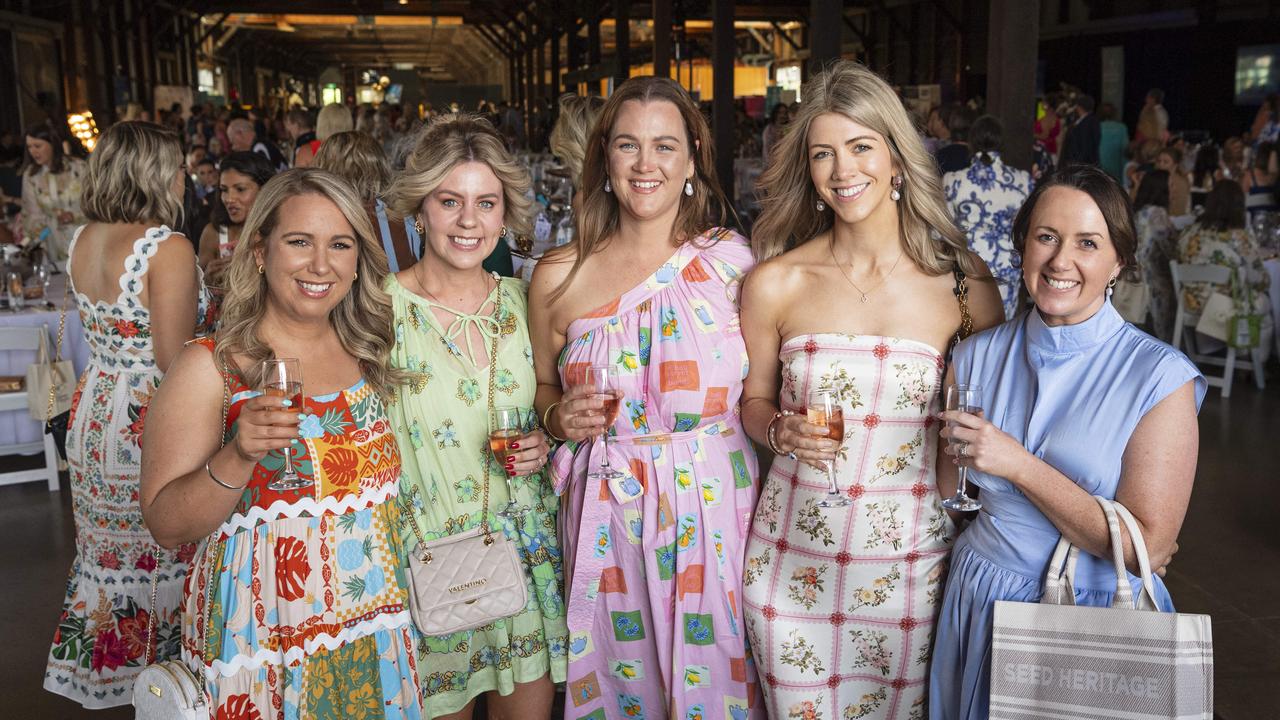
x=450 y=142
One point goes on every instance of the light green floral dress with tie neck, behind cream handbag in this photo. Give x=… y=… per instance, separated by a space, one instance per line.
x=442 y=422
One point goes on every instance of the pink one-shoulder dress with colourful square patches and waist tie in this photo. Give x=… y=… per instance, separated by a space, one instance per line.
x=655 y=560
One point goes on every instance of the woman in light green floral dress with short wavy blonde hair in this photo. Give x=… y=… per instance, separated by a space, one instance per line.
x=467 y=194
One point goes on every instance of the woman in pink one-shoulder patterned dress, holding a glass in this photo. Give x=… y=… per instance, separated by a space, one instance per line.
x=655 y=558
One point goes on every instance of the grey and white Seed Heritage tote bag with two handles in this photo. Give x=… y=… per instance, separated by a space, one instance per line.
x=1058 y=660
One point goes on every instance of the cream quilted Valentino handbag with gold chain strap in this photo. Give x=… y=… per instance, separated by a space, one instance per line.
x=473 y=578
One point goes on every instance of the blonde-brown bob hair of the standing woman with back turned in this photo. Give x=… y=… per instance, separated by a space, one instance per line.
x=131 y=174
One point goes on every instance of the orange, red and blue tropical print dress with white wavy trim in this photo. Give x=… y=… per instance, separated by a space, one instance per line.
x=307 y=616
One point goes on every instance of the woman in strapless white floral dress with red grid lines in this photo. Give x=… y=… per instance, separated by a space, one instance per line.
x=874 y=286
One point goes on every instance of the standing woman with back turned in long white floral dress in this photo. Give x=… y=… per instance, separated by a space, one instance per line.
x=132 y=194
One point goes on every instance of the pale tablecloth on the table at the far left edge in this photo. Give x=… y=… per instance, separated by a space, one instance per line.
x=16 y=426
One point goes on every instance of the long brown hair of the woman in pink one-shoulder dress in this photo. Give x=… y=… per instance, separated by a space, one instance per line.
x=598 y=220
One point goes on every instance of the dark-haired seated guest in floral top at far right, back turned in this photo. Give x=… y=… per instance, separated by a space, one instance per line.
x=1219 y=238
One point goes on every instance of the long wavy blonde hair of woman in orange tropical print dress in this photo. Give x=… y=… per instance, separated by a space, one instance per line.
x=362 y=320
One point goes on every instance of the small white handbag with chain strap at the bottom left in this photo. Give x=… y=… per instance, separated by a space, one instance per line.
x=170 y=690
